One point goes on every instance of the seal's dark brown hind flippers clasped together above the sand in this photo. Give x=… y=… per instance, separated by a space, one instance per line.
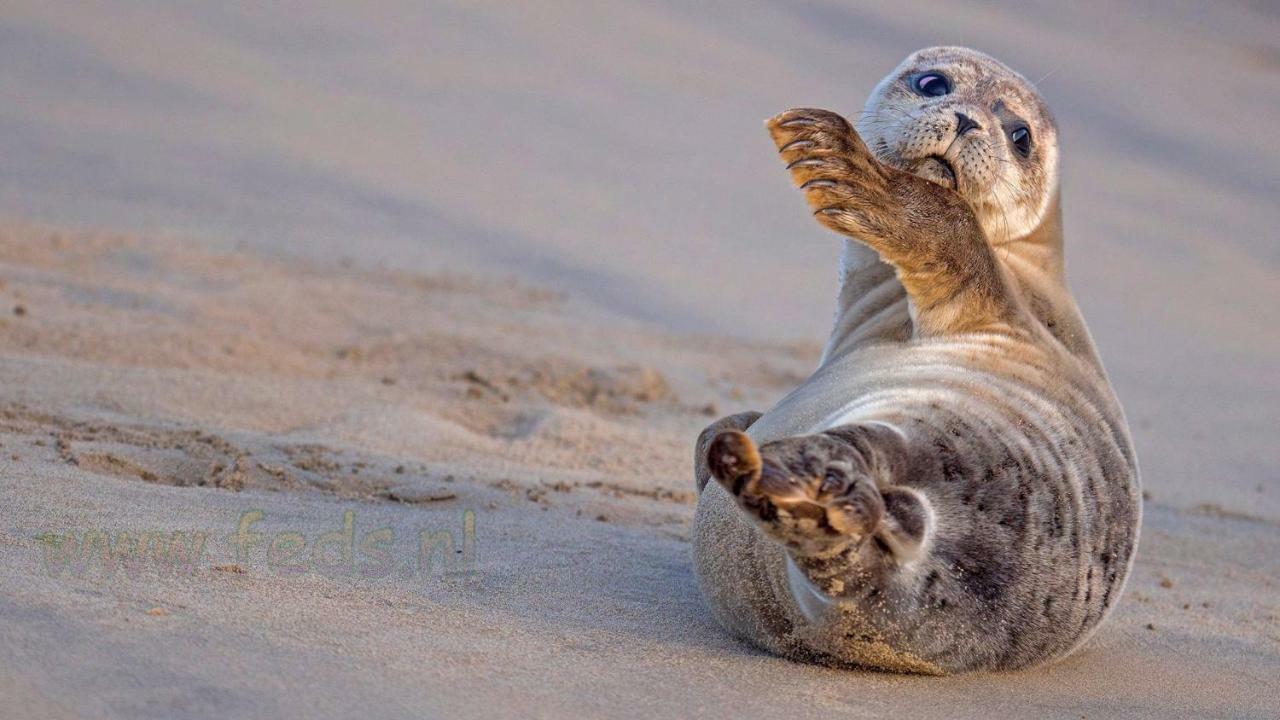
x=826 y=494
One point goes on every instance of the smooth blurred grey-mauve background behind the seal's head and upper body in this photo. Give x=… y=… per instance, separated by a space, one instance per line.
x=616 y=151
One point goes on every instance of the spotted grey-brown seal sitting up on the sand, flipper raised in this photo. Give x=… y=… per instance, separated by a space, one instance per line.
x=954 y=489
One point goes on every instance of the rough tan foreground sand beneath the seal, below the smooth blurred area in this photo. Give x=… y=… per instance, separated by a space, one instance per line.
x=152 y=388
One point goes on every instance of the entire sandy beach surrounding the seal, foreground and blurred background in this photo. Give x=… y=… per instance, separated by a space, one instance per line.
x=478 y=275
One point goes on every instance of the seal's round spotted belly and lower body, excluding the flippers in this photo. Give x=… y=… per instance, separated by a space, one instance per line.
x=1035 y=502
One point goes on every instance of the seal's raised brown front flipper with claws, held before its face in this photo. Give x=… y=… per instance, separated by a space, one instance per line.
x=926 y=231
